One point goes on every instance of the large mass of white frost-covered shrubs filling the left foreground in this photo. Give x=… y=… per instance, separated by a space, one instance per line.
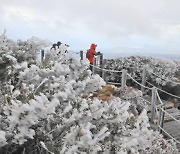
x=52 y=108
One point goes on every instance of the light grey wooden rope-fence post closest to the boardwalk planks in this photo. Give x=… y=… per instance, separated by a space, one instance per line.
x=153 y=104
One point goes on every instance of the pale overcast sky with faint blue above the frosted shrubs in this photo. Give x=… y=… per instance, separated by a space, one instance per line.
x=116 y=26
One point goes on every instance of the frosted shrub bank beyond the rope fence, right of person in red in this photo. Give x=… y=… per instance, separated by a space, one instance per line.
x=159 y=70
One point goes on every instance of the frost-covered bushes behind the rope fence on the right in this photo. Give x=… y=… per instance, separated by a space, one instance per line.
x=160 y=72
